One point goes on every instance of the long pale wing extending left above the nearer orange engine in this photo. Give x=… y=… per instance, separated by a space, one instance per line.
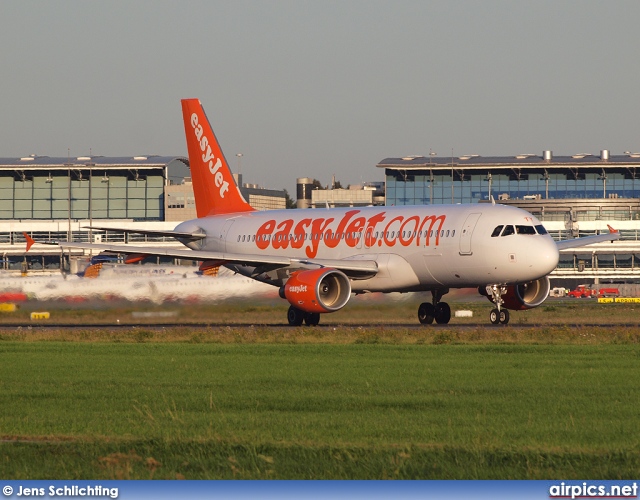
x=351 y=267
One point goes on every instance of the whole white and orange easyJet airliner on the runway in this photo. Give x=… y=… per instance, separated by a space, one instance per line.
x=318 y=258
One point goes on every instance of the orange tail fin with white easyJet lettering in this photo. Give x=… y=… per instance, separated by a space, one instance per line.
x=214 y=187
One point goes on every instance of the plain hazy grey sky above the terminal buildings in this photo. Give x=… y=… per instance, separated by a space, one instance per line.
x=317 y=88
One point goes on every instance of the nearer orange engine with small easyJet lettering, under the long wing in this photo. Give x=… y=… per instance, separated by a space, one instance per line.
x=317 y=291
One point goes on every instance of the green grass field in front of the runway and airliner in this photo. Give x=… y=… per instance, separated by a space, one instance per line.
x=332 y=403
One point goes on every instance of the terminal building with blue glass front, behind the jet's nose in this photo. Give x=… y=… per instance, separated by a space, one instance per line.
x=573 y=196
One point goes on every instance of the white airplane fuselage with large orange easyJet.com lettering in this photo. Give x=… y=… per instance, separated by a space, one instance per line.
x=415 y=248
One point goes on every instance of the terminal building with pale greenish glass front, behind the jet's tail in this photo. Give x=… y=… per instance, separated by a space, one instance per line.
x=60 y=198
